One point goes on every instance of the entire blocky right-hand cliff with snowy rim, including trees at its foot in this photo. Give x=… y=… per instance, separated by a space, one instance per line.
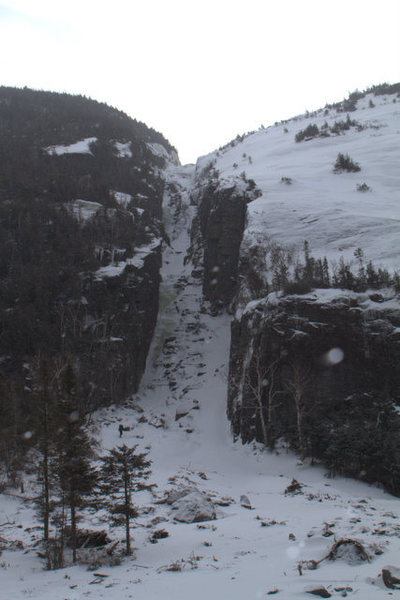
x=320 y=370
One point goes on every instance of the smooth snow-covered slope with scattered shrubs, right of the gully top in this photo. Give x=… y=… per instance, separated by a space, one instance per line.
x=304 y=199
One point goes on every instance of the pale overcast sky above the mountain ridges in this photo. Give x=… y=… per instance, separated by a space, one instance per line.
x=201 y=72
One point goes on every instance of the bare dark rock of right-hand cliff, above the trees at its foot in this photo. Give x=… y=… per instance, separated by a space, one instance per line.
x=302 y=331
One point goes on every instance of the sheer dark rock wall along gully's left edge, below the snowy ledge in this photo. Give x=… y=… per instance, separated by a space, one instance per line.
x=121 y=315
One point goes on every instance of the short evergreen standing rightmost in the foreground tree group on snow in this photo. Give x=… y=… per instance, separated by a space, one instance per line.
x=120 y=472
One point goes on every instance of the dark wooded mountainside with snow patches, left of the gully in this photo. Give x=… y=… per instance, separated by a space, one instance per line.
x=81 y=188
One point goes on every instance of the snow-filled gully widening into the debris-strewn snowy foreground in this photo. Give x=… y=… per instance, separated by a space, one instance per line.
x=179 y=414
